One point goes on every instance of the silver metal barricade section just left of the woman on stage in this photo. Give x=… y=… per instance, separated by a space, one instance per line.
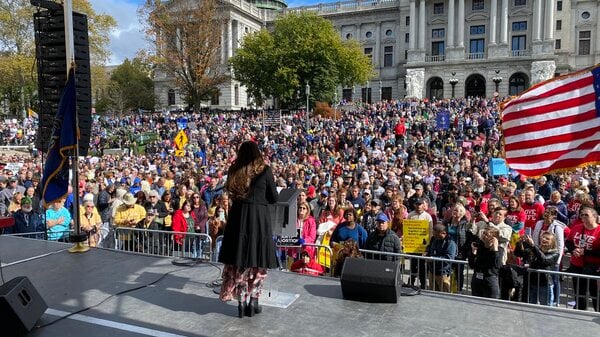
x=163 y=243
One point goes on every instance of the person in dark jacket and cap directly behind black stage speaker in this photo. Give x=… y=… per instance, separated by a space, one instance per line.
x=383 y=239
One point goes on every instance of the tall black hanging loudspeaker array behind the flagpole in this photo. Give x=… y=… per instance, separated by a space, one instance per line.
x=49 y=26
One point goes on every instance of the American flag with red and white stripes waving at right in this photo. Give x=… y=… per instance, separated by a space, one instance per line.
x=555 y=125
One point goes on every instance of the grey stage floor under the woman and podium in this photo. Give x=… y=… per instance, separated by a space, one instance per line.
x=179 y=303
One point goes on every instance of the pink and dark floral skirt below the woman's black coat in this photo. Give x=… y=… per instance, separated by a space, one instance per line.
x=241 y=283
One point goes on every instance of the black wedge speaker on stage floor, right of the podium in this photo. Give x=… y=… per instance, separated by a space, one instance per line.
x=370 y=280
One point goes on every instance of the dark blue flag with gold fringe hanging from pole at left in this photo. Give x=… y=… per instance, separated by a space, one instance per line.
x=55 y=181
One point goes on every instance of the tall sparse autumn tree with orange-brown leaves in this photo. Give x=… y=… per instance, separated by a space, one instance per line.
x=187 y=39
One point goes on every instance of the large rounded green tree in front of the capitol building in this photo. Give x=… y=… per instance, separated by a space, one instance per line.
x=301 y=49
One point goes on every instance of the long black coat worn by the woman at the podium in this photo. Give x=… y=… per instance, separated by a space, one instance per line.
x=248 y=238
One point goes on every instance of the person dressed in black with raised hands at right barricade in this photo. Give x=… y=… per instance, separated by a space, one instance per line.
x=485 y=260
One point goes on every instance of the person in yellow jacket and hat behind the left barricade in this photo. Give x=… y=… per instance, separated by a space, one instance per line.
x=128 y=215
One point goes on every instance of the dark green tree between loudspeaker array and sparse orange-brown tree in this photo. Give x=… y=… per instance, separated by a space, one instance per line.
x=130 y=87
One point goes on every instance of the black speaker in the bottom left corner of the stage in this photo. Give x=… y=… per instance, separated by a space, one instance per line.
x=20 y=306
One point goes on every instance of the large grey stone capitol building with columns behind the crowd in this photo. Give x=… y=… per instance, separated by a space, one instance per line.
x=432 y=48
